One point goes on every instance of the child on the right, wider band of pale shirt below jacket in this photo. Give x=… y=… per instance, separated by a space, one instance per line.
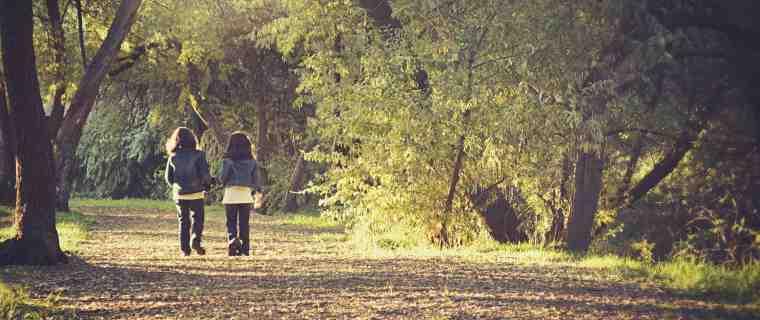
x=238 y=175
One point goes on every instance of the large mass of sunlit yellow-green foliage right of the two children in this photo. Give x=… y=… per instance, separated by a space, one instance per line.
x=390 y=148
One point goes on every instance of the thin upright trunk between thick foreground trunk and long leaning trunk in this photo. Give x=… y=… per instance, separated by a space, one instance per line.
x=59 y=59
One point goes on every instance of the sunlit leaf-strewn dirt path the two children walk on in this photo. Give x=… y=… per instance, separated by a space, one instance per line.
x=131 y=269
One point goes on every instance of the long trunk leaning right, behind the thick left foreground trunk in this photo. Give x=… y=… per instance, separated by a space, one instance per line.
x=73 y=123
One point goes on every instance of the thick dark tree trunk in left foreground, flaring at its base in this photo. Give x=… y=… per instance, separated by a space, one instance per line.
x=36 y=240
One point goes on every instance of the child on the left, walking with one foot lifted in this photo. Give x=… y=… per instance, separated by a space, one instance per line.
x=188 y=175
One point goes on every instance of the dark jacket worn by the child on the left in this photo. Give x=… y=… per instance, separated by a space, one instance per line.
x=187 y=172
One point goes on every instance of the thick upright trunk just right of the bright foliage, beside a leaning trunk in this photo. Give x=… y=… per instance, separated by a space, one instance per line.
x=588 y=185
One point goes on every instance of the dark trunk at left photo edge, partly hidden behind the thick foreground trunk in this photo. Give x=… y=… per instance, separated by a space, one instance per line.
x=7 y=151
